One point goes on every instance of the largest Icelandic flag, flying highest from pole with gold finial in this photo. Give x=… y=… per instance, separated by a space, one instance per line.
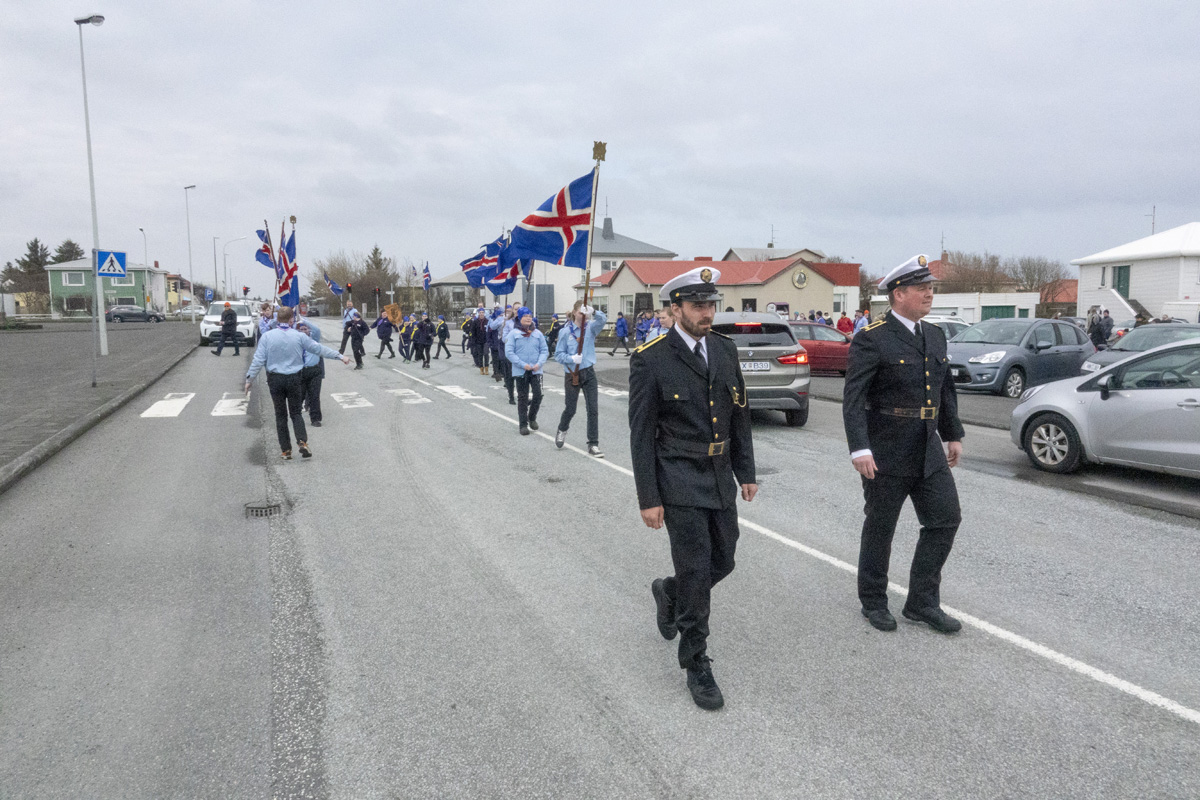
x=559 y=231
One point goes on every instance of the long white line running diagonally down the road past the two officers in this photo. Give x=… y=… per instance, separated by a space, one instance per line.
x=1075 y=665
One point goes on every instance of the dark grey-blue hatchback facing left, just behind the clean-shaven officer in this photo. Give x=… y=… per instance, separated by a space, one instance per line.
x=1005 y=357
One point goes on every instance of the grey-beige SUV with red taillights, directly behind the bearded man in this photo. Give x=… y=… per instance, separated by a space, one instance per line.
x=775 y=365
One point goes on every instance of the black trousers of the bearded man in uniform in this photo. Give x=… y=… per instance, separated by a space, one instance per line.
x=703 y=546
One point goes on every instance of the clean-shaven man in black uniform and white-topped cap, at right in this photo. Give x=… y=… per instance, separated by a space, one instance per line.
x=899 y=407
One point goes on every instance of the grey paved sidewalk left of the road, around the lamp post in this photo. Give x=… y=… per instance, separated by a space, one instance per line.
x=46 y=393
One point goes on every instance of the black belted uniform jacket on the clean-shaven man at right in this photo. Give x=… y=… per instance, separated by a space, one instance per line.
x=887 y=370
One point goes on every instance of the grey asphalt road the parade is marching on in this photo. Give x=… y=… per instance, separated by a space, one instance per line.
x=446 y=609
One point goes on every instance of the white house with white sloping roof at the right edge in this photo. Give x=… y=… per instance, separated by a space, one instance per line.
x=1145 y=275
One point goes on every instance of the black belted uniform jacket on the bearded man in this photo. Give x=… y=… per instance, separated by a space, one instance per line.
x=679 y=406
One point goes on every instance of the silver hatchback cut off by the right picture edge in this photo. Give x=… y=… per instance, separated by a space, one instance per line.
x=1143 y=412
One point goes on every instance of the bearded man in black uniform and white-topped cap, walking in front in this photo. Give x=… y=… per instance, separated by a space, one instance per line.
x=691 y=441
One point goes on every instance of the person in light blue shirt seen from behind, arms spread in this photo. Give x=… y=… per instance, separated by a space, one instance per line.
x=281 y=353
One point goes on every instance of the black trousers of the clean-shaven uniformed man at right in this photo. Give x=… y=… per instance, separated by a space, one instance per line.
x=937 y=502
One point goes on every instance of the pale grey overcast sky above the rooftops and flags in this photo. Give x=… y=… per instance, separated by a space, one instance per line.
x=863 y=130
